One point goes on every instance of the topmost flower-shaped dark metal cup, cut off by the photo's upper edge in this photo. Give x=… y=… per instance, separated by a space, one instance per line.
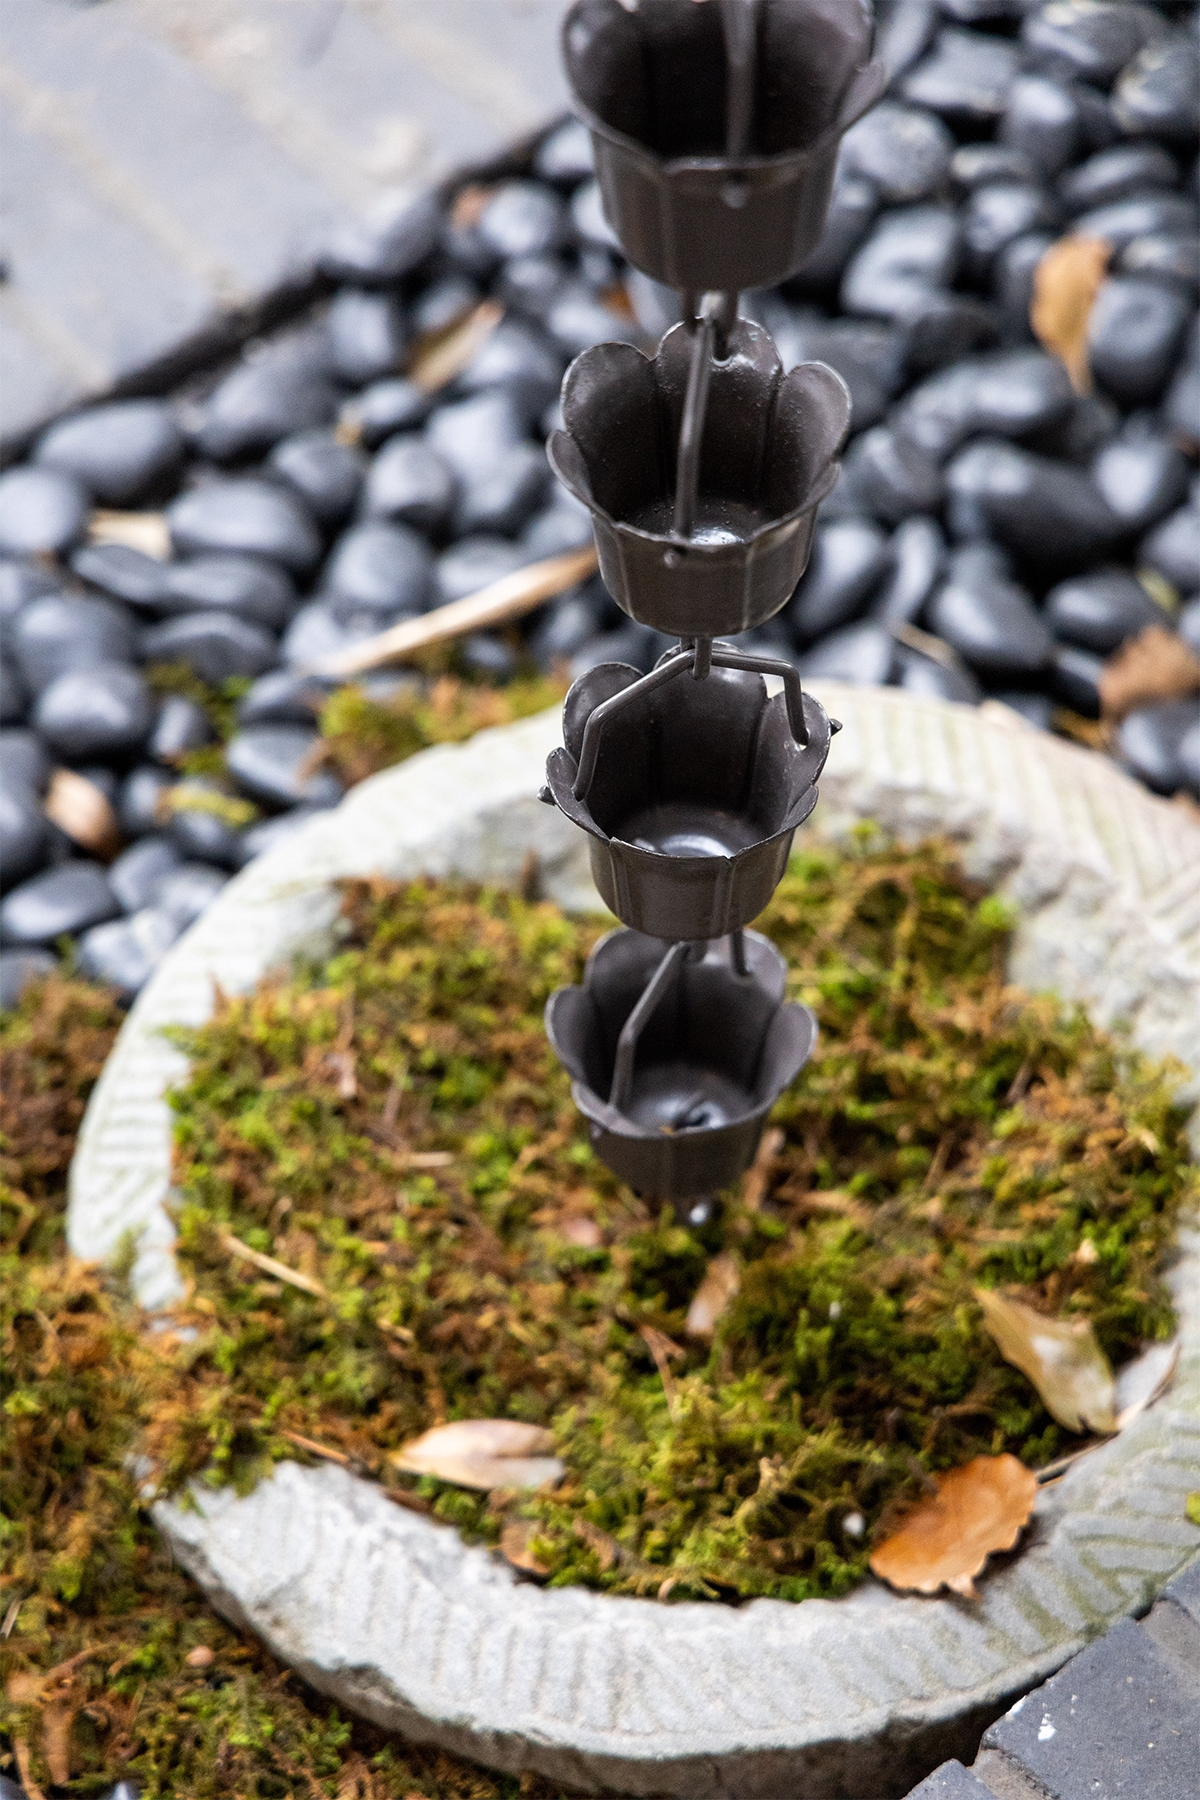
x=652 y=82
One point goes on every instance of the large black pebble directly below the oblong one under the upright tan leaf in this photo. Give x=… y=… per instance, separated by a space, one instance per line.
x=1048 y=514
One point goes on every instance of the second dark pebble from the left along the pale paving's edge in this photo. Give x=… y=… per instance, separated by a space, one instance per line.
x=120 y=453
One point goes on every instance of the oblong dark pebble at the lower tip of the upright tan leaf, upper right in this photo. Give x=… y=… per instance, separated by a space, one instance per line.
x=1012 y=393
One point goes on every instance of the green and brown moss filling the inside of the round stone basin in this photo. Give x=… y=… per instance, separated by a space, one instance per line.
x=951 y=1133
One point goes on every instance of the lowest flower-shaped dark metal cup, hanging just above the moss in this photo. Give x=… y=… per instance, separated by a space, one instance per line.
x=683 y=1111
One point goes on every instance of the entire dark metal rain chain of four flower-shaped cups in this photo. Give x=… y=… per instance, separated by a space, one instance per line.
x=715 y=127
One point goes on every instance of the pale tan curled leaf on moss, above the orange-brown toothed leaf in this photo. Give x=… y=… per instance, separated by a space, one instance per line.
x=1061 y=1358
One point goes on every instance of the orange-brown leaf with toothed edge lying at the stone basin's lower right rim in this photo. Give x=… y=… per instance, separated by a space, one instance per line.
x=947 y=1538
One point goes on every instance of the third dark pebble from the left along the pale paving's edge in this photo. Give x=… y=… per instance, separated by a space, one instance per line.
x=283 y=390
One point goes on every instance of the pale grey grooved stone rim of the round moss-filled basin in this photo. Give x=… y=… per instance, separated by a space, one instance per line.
x=411 y=1628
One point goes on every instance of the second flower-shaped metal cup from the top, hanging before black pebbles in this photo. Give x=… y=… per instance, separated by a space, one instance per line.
x=767 y=462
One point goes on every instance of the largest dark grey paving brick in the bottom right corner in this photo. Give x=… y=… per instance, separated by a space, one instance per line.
x=1115 y=1725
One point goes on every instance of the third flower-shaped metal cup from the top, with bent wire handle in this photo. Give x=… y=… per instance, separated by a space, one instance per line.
x=694 y=802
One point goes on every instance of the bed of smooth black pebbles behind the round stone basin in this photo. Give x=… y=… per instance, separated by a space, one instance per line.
x=994 y=534
